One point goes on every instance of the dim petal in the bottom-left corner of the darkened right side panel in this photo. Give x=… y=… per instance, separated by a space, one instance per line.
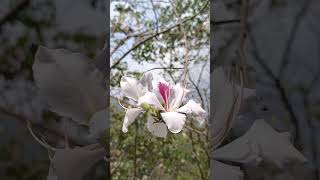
x=221 y=171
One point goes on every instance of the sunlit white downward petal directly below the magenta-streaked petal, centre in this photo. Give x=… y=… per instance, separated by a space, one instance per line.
x=174 y=120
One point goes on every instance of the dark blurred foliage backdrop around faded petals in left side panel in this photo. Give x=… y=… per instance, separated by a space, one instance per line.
x=25 y=24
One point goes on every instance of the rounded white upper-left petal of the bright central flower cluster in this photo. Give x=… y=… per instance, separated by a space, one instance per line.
x=131 y=87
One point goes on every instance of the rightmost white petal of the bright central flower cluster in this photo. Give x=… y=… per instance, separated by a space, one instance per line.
x=193 y=108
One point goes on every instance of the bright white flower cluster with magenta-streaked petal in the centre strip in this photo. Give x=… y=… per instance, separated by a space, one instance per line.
x=162 y=102
